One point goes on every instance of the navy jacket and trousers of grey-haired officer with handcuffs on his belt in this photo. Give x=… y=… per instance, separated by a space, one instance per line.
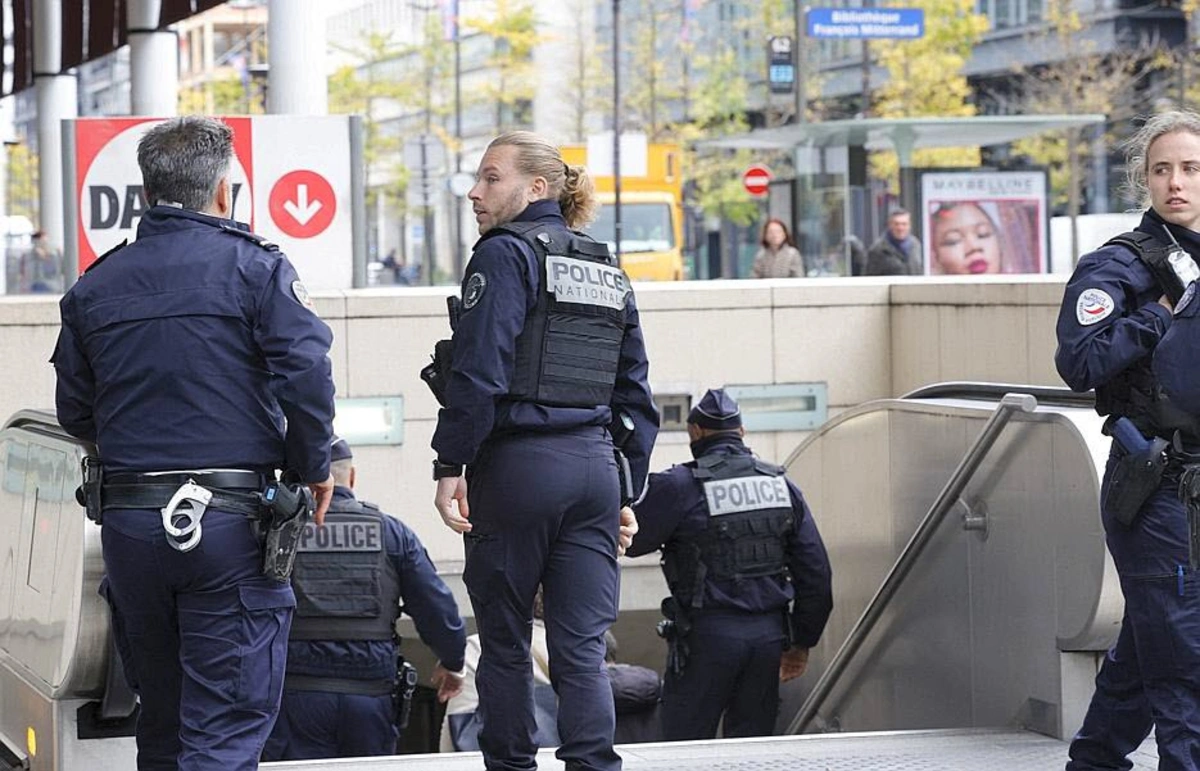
x=196 y=349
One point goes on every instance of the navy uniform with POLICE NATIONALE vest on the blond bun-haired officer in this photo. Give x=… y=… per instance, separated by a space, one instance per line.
x=547 y=349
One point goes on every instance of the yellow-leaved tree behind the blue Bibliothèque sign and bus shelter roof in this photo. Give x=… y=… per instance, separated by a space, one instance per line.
x=926 y=79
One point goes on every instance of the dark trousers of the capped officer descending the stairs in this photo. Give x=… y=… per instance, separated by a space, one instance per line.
x=733 y=670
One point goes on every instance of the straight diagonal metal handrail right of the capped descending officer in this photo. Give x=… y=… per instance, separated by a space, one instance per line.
x=946 y=500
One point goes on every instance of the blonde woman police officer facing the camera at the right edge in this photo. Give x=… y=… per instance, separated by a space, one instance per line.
x=1112 y=328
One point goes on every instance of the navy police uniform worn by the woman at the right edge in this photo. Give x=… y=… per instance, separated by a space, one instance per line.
x=1112 y=331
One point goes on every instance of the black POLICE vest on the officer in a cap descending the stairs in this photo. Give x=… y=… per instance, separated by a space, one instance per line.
x=749 y=516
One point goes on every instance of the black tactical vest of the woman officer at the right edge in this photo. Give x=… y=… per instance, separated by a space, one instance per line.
x=1136 y=393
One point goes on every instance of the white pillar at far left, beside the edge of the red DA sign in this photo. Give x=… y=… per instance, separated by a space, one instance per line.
x=57 y=100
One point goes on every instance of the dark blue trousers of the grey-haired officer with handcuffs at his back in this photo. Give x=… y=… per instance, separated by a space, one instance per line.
x=203 y=637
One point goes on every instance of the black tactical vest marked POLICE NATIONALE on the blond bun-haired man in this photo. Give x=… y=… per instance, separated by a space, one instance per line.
x=568 y=352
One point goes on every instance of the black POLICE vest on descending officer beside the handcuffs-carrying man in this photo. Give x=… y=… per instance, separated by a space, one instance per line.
x=346 y=587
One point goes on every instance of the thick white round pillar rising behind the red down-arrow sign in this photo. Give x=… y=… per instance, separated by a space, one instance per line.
x=296 y=37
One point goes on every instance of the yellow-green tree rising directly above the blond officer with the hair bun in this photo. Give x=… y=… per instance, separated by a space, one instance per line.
x=514 y=32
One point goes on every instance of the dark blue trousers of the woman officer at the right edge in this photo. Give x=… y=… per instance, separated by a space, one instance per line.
x=1153 y=674
